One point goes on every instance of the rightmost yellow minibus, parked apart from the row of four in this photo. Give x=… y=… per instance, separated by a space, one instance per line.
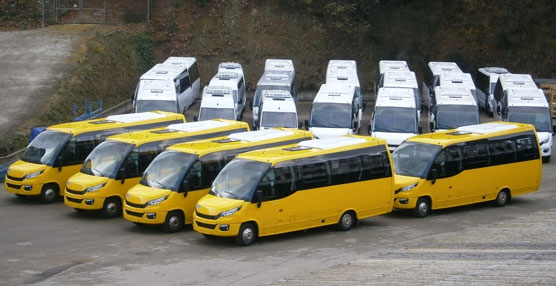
x=485 y=162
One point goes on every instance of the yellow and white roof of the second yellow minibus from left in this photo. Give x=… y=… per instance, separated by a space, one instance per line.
x=178 y=131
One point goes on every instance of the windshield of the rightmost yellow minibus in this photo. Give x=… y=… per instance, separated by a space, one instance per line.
x=413 y=159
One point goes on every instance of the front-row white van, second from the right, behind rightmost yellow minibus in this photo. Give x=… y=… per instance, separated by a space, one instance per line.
x=452 y=107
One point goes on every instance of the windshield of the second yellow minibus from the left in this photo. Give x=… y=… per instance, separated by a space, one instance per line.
x=106 y=158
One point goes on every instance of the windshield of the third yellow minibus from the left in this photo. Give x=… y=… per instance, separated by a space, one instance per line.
x=166 y=171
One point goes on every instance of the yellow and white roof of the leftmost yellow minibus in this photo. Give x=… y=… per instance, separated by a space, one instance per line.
x=116 y=121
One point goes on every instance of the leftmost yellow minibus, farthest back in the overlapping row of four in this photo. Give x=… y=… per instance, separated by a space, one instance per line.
x=58 y=152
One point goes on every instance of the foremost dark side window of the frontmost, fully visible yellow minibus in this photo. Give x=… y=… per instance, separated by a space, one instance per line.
x=276 y=184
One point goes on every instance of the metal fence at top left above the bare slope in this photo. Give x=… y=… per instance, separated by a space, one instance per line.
x=95 y=11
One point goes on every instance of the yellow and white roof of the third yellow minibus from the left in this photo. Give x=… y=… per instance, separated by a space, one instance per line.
x=241 y=140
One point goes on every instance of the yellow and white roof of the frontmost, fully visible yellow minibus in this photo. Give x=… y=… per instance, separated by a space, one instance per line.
x=312 y=148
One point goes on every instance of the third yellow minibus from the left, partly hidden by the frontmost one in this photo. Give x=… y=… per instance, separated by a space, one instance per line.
x=183 y=173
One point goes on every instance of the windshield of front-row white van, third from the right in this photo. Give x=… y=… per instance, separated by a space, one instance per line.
x=395 y=119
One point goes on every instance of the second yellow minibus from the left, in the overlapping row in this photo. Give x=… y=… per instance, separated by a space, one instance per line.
x=117 y=164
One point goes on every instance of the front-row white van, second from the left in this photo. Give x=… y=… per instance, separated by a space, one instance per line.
x=219 y=102
